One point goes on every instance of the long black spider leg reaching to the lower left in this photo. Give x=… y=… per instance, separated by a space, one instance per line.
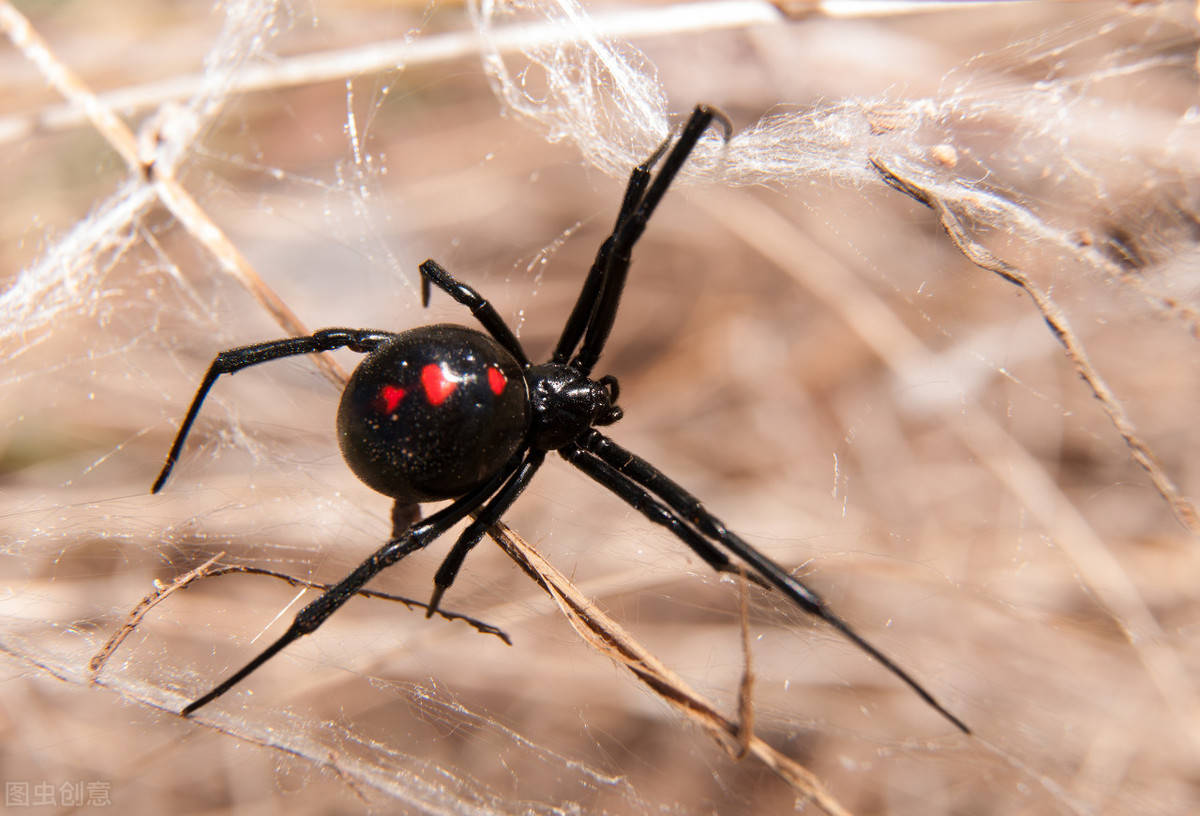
x=311 y=617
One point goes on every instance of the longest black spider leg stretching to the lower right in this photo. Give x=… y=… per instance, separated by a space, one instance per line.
x=640 y=472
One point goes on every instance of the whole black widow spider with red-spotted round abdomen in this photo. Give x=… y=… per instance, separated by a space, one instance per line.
x=445 y=412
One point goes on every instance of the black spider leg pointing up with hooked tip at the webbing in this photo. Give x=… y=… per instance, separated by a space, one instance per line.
x=625 y=237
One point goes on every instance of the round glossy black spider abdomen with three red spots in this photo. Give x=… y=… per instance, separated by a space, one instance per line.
x=433 y=413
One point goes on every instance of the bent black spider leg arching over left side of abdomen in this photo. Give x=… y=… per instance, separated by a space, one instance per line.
x=236 y=359
